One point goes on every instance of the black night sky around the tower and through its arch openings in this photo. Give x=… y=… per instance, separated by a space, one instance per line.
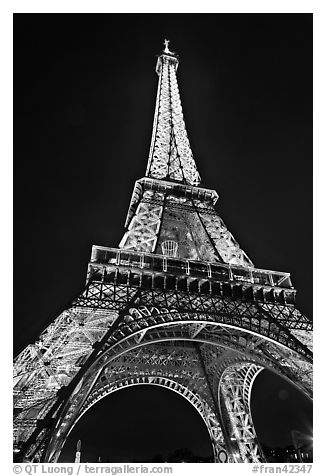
x=84 y=97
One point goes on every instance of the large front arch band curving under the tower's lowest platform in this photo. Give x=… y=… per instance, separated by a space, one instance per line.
x=222 y=335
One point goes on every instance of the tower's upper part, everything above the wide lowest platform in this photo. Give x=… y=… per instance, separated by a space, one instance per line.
x=168 y=206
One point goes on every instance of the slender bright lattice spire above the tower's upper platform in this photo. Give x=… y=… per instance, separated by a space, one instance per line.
x=170 y=156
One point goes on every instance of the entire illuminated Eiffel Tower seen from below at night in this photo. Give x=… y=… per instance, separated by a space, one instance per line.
x=178 y=304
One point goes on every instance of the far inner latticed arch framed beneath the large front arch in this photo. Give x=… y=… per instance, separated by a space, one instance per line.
x=152 y=365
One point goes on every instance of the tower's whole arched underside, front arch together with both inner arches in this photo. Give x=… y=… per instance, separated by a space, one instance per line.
x=225 y=354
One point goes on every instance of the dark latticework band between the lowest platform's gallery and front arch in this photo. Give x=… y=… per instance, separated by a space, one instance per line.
x=269 y=322
